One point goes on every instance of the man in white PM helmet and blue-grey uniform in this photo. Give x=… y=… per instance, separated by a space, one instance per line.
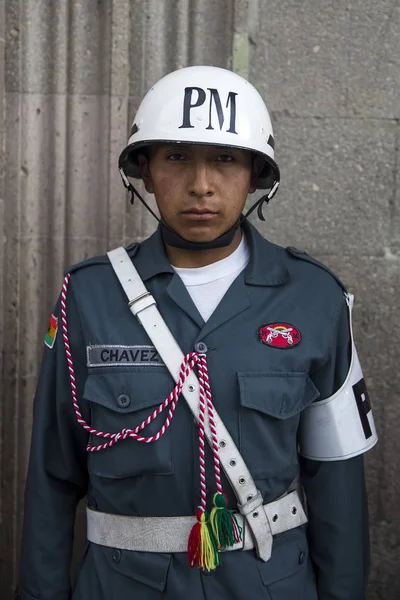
x=237 y=341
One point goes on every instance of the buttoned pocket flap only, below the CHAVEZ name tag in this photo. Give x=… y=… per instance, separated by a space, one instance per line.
x=128 y=392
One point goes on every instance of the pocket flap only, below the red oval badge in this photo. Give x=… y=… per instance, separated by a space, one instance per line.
x=279 y=395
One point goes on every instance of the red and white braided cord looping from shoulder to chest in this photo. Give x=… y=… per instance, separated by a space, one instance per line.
x=205 y=405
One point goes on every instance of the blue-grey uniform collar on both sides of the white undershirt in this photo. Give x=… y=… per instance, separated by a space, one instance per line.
x=265 y=267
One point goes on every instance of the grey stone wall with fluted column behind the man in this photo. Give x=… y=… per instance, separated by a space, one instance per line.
x=72 y=73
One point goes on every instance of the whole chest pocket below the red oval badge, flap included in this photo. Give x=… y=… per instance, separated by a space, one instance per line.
x=270 y=407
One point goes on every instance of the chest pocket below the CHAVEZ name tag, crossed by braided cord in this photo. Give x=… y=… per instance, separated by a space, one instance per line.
x=119 y=400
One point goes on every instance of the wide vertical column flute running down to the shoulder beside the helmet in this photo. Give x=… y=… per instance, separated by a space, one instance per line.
x=88 y=119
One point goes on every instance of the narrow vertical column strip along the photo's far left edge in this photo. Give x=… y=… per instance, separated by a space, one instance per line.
x=11 y=308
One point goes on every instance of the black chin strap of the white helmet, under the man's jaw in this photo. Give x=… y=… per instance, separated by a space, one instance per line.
x=172 y=238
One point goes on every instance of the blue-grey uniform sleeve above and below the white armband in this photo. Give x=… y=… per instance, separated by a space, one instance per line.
x=336 y=496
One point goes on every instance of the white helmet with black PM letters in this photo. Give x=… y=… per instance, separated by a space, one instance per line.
x=204 y=105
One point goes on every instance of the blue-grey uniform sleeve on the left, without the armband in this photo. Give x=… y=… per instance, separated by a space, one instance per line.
x=57 y=475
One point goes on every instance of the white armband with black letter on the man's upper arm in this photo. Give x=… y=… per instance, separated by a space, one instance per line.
x=341 y=426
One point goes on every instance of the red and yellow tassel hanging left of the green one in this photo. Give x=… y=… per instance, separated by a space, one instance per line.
x=202 y=547
